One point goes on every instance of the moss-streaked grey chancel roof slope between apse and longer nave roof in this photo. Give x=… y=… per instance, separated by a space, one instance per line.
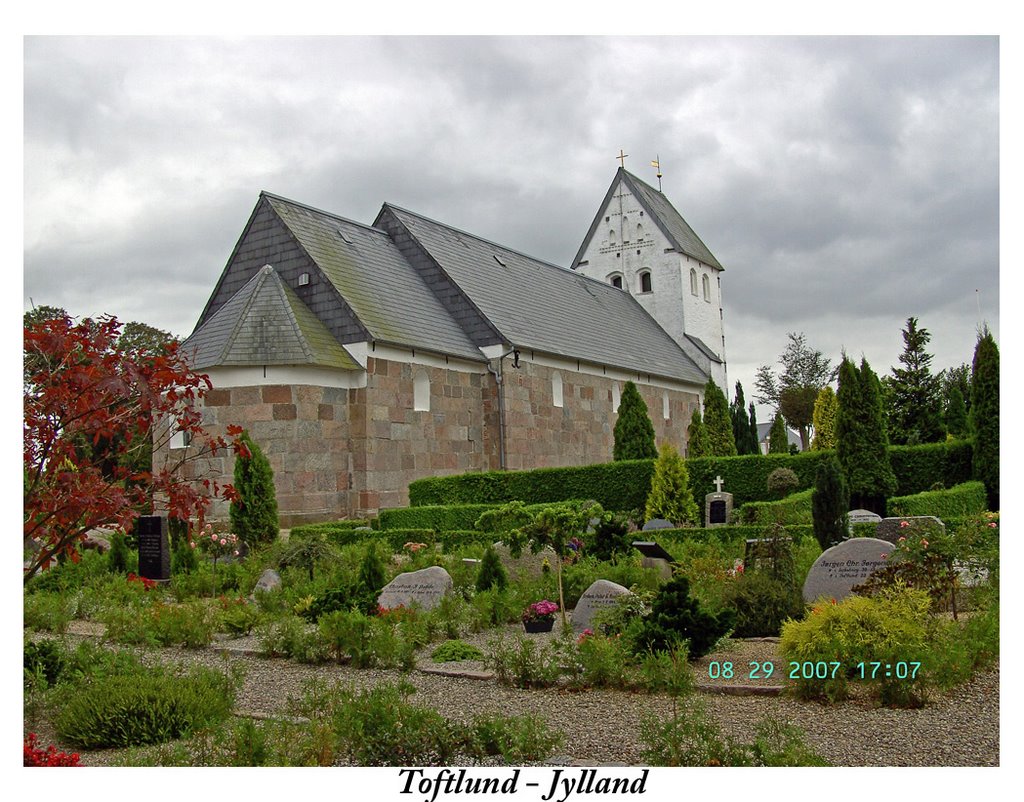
x=385 y=291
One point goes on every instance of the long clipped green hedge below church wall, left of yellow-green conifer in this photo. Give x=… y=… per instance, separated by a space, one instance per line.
x=617 y=486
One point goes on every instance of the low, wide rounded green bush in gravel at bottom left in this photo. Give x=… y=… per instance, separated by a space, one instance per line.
x=144 y=708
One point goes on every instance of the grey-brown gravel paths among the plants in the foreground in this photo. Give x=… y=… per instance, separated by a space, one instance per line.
x=961 y=729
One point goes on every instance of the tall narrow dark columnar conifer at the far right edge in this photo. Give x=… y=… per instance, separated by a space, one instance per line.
x=986 y=415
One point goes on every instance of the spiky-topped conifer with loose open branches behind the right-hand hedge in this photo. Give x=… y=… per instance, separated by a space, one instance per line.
x=915 y=409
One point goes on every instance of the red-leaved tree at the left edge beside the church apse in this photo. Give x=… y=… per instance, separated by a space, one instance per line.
x=94 y=411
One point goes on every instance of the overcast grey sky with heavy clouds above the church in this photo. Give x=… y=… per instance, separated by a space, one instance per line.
x=845 y=184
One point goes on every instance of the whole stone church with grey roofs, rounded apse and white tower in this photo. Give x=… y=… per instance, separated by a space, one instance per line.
x=362 y=358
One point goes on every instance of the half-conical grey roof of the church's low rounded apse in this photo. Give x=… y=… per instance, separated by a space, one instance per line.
x=266 y=323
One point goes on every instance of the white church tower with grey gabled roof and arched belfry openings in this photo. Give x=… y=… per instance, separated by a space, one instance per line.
x=639 y=243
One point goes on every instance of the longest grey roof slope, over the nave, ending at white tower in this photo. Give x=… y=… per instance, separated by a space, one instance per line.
x=541 y=307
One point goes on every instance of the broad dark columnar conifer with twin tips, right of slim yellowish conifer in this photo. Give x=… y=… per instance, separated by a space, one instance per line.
x=861 y=438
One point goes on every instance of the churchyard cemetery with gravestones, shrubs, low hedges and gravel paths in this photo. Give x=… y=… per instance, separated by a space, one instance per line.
x=428 y=631
